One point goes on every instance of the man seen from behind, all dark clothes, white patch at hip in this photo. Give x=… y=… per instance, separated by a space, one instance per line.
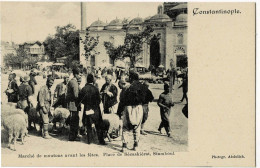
x=92 y=119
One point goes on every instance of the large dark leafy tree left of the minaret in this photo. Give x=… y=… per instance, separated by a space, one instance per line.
x=65 y=42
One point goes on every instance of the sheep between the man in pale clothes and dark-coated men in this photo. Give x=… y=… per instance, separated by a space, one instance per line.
x=60 y=115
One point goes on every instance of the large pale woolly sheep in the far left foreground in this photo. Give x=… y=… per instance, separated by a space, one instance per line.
x=15 y=125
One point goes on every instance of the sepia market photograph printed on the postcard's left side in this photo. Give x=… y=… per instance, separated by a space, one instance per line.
x=78 y=78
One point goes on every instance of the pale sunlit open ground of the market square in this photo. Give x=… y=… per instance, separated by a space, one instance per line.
x=152 y=142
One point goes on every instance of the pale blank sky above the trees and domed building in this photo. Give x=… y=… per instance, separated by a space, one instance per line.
x=31 y=21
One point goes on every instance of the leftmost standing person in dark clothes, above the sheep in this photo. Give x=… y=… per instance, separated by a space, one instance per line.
x=12 y=89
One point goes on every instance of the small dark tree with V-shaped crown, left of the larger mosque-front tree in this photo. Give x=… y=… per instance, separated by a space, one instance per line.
x=114 y=52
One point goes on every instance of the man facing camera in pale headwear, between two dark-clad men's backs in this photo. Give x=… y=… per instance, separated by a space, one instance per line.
x=109 y=95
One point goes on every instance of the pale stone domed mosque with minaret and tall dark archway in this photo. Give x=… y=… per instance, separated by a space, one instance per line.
x=171 y=46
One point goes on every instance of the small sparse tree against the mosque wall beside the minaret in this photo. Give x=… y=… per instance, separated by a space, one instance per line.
x=90 y=43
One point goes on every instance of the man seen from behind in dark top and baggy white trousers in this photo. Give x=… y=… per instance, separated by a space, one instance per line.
x=133 y=99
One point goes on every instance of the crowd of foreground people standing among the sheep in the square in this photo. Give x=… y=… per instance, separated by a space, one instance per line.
x=132 y=105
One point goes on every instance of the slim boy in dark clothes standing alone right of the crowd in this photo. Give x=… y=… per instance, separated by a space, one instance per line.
x=165 y=103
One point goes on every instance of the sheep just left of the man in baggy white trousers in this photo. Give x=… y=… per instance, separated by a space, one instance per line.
x=112 y=126
